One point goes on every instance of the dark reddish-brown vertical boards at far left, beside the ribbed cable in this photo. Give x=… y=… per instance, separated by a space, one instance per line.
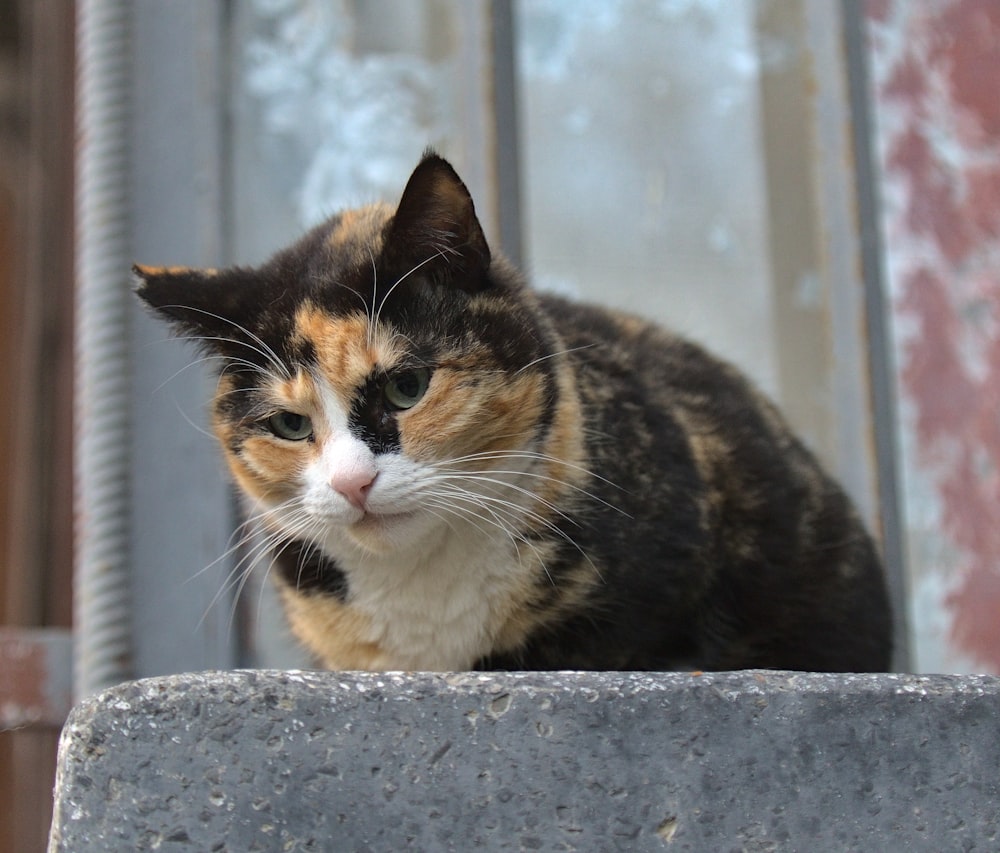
x=37 y=286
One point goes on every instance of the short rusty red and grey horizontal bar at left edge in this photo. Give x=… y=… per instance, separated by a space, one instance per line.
x=36 y=677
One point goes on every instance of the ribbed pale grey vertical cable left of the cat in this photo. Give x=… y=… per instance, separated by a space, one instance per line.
x=101 y=586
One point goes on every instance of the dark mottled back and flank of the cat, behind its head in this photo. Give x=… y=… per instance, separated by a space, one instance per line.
x=721 y=498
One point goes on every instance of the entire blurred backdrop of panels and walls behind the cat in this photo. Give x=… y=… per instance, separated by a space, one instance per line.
x=810 y=188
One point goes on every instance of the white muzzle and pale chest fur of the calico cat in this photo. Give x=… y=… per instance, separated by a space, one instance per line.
x=432 y=553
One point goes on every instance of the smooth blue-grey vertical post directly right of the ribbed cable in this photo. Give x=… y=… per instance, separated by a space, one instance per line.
x=180 y=496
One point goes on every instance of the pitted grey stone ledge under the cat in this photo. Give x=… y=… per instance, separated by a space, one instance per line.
x=755 y=761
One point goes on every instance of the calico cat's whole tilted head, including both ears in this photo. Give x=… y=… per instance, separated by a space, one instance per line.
x=380 y=378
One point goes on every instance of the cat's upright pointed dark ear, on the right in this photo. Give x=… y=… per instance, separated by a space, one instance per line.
x=436 y=228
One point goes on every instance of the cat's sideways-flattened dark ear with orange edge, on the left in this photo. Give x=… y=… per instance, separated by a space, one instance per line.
x=196 y=302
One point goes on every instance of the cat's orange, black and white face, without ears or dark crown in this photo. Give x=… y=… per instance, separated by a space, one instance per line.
x=379 y=435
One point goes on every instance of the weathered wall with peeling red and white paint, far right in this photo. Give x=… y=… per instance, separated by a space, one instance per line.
x=936 y=80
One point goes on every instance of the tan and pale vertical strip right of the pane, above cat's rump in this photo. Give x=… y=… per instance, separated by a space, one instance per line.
x=820 y=292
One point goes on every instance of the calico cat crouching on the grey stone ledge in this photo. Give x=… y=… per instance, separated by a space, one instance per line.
x=454 y=471
